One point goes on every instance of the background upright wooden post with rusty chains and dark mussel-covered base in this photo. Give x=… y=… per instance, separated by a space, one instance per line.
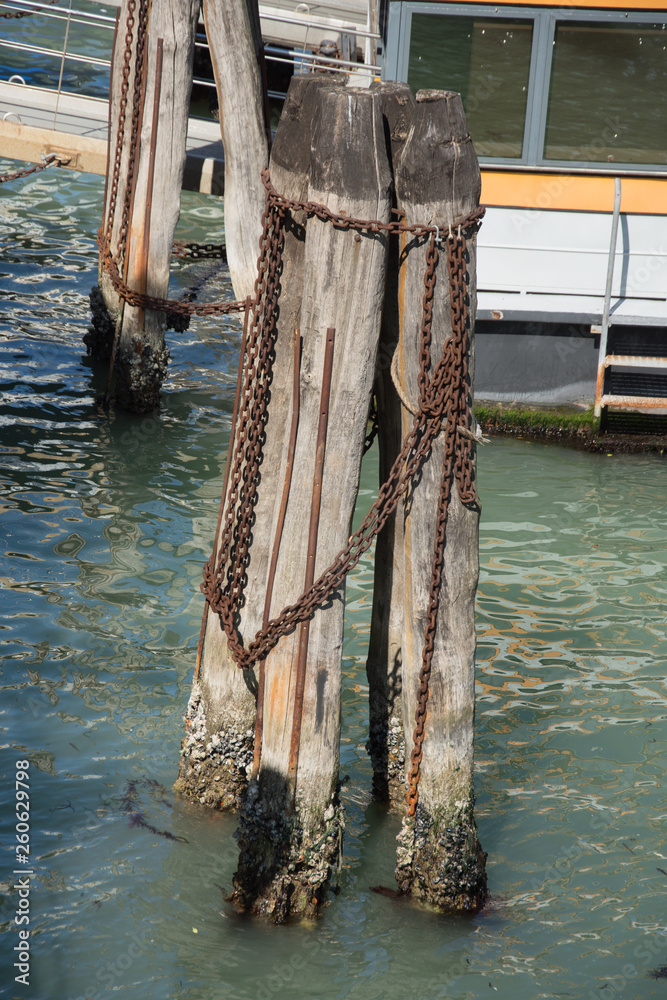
x=151 y=78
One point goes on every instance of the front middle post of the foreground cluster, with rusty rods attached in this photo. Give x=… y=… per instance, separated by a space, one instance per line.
x=291 y=823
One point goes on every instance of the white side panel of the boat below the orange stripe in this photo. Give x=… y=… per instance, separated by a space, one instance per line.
x=540 y=266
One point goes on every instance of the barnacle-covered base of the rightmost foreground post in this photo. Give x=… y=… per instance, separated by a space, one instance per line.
x=440 y=861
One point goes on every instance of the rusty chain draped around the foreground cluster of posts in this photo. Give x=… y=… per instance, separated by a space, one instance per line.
x=443 y=401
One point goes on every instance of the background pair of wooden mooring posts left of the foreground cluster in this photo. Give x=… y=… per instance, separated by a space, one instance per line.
x=145 y=165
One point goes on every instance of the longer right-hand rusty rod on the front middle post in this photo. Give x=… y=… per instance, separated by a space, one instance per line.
x=304 y=631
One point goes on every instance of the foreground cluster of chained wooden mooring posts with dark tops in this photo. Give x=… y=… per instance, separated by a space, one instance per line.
x=265 y=739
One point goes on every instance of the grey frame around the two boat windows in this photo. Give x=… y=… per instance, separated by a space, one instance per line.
x=545 y=21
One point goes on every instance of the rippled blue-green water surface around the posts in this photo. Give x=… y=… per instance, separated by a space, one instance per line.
x=106 y=521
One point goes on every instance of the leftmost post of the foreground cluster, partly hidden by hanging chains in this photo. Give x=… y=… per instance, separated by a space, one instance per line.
x=218 y=750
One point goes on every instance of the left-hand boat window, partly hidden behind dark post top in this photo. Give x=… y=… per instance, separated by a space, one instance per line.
x=485 y=59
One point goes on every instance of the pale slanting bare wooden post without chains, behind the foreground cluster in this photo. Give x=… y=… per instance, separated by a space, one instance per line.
x=235 y=41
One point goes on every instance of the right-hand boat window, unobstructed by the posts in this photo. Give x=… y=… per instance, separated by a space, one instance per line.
x=608 y=94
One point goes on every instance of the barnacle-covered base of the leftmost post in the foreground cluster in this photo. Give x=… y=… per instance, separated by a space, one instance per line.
x=214 y=767
